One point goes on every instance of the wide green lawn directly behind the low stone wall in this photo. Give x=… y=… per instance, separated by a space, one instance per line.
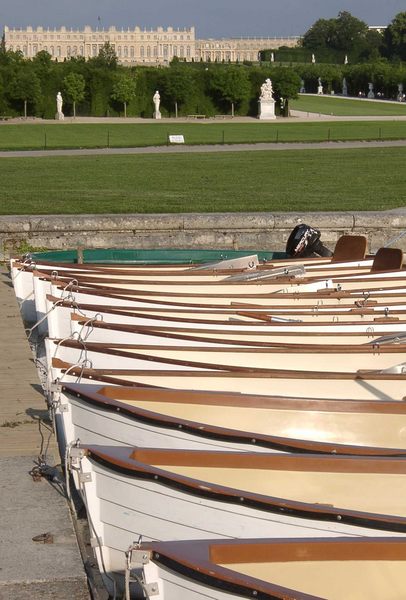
x=312 y=180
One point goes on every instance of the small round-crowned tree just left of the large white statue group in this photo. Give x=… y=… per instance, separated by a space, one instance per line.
x=230 y=84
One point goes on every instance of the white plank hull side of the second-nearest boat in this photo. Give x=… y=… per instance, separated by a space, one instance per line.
x=124 y=508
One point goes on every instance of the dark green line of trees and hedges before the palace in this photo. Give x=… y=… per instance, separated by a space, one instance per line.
x=102 y=87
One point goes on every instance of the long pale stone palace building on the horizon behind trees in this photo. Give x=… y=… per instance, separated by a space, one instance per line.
x=138 y=46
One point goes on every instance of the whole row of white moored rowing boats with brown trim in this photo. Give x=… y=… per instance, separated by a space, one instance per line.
x=234 y=430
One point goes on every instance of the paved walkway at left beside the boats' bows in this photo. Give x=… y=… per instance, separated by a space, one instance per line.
x=30 y=570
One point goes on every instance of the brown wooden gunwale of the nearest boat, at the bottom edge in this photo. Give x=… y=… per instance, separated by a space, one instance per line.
x=198 y=559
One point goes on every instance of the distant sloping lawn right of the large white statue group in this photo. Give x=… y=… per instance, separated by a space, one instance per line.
x=331 y=105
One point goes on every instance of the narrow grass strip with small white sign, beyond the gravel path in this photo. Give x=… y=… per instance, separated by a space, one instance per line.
x=67 y=135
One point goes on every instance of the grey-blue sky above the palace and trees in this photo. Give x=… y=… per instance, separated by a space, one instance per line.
x=211 y=18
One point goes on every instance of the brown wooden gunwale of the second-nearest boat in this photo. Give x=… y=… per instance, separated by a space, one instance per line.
x=115 y=459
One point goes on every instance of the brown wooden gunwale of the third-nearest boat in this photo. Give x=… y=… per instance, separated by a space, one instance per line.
x=209 y=431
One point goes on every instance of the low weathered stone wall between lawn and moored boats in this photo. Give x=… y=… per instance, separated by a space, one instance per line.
x=268 y=231
